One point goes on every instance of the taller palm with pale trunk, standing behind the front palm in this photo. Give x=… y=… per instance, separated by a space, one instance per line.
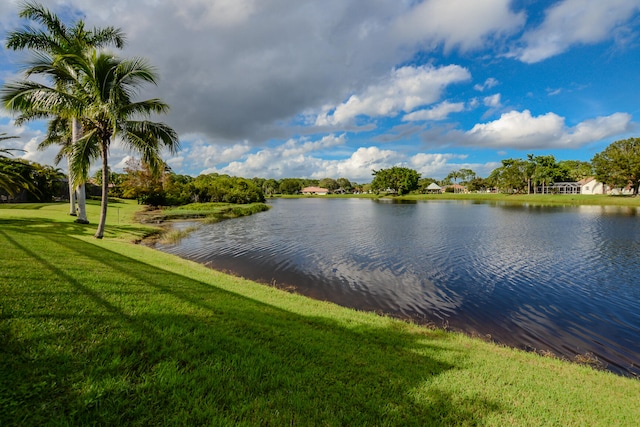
x=58 y=41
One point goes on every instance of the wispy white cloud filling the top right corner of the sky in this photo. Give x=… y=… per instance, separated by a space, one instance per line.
x=572 y=22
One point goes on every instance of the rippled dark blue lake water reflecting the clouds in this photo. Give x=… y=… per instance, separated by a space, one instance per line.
x=563 y=279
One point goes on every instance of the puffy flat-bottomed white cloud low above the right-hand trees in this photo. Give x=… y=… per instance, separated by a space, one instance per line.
x=521 y=130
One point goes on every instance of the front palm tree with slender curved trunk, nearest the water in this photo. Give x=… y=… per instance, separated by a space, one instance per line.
x=98 y=88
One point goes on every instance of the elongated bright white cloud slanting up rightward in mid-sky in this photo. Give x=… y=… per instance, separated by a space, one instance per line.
x=407 y=88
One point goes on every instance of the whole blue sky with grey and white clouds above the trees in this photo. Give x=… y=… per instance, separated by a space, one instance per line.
x=291 y=88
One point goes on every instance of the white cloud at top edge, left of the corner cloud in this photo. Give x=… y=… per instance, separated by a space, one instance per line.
x=459 y=23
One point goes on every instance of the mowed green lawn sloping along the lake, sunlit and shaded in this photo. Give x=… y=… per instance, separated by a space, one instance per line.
x=110 y=333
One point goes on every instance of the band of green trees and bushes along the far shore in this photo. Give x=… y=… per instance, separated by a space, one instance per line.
x=617 y=166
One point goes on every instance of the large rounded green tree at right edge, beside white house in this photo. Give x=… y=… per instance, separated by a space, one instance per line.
x=619 y=164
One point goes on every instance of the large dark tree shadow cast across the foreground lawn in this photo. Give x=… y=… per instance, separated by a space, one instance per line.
x=123 y=342
